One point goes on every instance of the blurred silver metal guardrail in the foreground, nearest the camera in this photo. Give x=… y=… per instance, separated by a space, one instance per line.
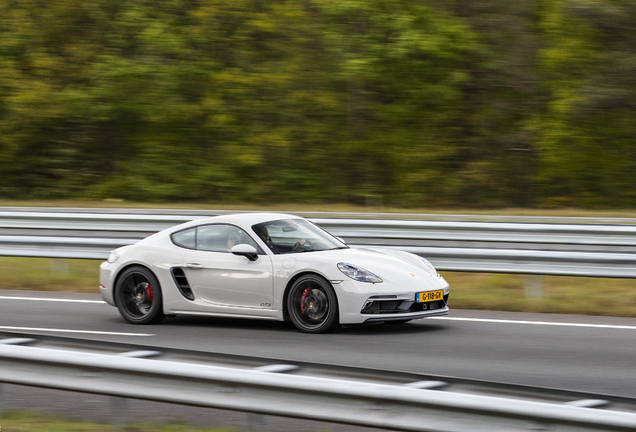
x=410 y=407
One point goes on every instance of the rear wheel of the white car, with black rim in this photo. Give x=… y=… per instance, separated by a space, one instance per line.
x=138 y=296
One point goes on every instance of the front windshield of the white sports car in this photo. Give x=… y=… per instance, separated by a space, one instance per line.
x=295 y=235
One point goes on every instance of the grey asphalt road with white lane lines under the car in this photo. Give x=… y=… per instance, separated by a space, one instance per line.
x=593 y=354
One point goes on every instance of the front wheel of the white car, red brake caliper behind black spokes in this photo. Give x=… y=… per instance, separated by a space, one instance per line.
x=312 y=305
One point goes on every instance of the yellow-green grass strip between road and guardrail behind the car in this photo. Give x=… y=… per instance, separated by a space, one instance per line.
x=504 y=292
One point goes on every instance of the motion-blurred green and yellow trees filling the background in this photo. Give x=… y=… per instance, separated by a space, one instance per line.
x=379 y=102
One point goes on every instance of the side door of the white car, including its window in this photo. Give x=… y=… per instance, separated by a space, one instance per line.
x=219 y=277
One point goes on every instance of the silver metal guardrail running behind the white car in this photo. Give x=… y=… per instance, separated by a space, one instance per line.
x=590 y=248
